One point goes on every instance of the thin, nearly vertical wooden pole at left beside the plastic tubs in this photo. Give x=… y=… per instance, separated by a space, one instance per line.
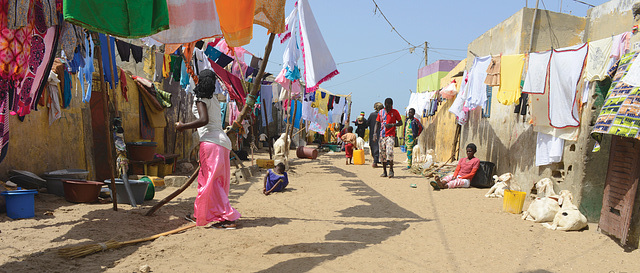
x=110 y=146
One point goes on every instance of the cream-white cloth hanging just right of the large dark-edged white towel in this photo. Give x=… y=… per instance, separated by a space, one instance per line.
x=598 y=59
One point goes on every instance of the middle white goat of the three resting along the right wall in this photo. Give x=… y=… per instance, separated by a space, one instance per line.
x=543 y=209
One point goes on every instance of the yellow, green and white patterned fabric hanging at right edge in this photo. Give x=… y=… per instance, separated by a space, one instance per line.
x=620 y=114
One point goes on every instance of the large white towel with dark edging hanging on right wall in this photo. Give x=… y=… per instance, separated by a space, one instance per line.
x=564 y=73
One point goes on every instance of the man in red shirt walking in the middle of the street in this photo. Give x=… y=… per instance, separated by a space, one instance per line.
x=389 y=119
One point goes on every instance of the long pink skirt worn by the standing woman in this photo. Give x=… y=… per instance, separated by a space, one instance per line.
x=212 y=202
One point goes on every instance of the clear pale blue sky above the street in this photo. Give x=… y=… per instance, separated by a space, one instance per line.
x=354 y=29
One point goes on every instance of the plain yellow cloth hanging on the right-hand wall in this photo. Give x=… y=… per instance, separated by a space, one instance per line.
x=511 y=76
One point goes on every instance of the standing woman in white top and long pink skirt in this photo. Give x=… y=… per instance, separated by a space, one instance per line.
x=212 y=202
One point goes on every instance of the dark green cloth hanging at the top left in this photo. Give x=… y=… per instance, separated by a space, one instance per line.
x=128 y=19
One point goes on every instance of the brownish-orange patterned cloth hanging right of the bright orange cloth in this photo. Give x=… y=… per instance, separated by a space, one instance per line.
x=270 y=14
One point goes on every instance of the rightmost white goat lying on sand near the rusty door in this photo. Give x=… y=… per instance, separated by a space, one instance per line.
x=568 y=217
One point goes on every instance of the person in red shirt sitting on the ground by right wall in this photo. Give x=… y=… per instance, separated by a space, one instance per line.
x=465 y=171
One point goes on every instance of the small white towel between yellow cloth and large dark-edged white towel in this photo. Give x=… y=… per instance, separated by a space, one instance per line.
x=535 y=79
